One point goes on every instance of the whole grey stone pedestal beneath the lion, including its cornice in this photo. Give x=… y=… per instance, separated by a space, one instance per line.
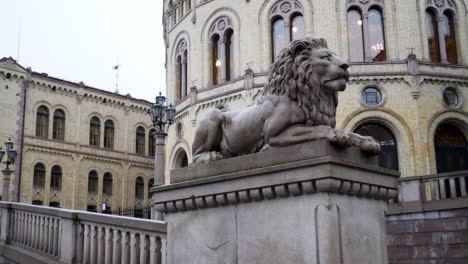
x=308 y=203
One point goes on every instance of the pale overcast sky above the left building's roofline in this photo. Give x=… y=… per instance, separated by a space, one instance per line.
x=81 y=40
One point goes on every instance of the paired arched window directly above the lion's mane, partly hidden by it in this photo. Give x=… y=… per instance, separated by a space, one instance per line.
x=287 y=24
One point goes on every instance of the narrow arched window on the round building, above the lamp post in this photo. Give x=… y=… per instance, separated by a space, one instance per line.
x=181 y=70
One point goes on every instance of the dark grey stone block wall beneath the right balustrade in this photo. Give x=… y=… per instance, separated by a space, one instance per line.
x=429 y=237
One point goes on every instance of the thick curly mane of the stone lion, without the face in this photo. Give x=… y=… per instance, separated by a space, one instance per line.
x=295 y=75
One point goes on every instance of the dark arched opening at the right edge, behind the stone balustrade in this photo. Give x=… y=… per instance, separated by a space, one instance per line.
x=451 y=149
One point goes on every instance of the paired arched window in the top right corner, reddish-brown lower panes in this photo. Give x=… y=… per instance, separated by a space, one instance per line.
x=441 y=31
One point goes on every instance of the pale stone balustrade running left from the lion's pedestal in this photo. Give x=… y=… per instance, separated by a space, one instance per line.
x=36 y=234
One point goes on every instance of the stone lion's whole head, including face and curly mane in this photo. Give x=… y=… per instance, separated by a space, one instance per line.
x=312 y=75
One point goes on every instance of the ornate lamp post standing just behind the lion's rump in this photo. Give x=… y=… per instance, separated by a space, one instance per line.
x=162 y=117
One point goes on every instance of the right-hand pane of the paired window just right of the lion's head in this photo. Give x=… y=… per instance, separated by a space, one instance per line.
x=376 y=35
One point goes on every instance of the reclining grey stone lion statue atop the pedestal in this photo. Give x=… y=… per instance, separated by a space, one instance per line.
x=298 y=105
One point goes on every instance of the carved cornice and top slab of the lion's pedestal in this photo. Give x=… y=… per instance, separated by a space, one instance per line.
x=304 y=169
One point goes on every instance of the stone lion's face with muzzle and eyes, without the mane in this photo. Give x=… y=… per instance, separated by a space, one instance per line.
x=331 y=69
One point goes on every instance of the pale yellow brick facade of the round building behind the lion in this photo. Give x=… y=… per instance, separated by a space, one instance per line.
x=412 y=107
